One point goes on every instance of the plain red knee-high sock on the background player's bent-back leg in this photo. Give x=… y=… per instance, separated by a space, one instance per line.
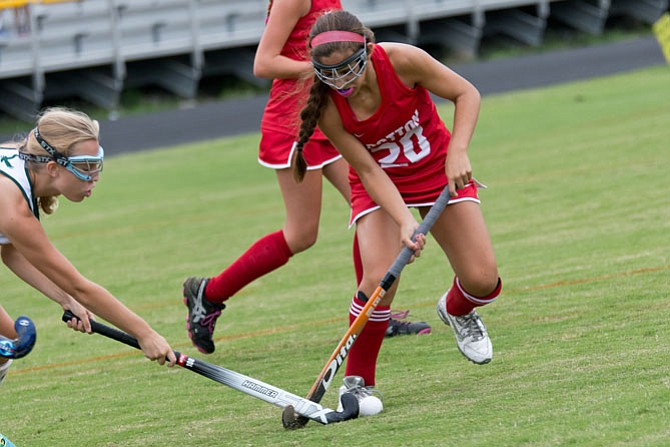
x=265 y=255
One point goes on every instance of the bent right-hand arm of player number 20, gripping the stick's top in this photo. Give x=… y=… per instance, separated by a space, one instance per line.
x=416 y=67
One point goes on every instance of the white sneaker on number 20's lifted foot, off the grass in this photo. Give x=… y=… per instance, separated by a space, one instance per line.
x=472 y=338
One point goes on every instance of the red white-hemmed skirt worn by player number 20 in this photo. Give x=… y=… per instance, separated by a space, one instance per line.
x=362 y=204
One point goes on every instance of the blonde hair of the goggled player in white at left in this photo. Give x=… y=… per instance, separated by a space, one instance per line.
x=62 y=128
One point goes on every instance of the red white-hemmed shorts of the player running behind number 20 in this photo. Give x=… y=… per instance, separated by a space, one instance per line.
x=276 y=151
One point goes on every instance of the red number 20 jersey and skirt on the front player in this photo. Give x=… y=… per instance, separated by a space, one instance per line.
x=405 y=136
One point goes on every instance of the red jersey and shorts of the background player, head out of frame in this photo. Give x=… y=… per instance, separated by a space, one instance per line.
x=281 y=122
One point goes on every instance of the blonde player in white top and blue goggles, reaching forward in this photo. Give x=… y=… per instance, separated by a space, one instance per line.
x=60 y=156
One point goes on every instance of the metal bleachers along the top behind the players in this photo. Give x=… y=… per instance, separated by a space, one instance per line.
x=96 y=48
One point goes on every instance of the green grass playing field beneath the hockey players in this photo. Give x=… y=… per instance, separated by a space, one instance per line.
x=578 y=210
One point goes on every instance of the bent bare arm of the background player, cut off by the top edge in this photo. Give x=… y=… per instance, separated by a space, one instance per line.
x=269 y=63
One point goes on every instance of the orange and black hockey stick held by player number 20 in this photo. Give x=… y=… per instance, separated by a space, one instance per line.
x=293 y=420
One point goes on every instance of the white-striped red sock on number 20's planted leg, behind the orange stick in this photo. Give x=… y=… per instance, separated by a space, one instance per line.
x=362 y=360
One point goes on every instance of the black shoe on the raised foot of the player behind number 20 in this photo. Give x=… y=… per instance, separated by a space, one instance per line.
x=202 y=314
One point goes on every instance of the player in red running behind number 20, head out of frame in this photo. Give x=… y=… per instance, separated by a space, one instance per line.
x=282 y=55
